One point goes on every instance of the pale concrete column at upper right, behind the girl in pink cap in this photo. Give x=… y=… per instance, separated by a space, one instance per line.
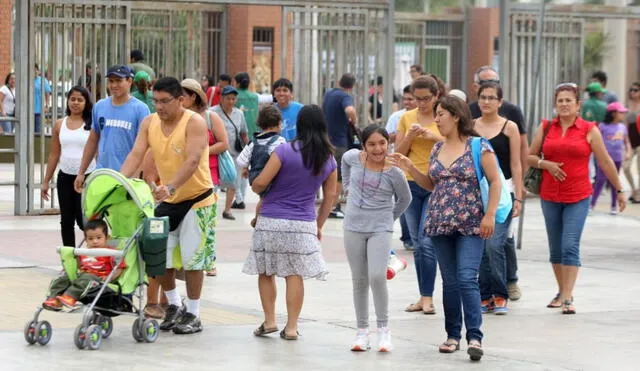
x=615 y=60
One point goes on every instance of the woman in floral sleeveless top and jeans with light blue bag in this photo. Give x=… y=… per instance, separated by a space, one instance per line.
x=456 y=221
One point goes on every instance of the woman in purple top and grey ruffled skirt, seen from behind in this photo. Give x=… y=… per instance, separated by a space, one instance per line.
x=286 y=242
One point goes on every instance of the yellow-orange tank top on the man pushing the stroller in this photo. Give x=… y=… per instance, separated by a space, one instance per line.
x=169 y=153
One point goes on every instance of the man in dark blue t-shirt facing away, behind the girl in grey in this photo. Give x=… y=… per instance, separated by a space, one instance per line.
x=339 y=112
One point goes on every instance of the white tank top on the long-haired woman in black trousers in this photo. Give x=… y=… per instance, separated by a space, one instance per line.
x=71 y=149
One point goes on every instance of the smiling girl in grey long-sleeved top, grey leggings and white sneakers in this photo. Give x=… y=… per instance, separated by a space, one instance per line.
x=372 y=184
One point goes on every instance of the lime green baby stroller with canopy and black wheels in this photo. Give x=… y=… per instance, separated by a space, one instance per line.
x=127 y=205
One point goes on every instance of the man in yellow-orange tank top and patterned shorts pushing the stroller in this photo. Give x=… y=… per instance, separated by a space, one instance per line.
x=177 y=139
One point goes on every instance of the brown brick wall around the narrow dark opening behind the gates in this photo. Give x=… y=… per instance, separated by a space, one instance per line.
x=241 y=19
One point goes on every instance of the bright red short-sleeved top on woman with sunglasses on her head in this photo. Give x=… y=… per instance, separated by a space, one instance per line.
x=574 y=151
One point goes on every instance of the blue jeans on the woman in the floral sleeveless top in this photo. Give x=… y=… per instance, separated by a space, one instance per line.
x=459 y=258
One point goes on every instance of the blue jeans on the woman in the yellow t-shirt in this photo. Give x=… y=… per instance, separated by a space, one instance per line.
x=424 y=254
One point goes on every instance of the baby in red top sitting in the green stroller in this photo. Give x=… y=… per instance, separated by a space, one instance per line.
x=64 y=292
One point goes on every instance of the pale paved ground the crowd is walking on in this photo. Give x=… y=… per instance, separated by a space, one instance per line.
x=602 y=336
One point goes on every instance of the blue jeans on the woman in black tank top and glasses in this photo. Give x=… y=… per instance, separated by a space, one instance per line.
x=493 y=269
